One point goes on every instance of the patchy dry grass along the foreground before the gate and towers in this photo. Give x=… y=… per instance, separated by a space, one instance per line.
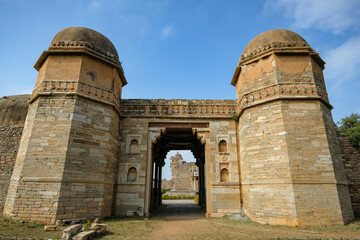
x=143 y=228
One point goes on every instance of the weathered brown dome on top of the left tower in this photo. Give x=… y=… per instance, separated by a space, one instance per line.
x=91 y=38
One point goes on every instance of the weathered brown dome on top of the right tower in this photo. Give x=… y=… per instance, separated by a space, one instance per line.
x=275 y=38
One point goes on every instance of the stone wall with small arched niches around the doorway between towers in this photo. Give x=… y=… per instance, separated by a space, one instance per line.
x=223 y=197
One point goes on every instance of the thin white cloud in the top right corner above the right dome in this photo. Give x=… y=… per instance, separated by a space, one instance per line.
x=335 y=16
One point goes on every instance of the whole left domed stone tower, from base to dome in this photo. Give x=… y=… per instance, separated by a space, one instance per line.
x=66 y=161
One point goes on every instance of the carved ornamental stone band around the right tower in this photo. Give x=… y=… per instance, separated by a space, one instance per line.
x=282 y=91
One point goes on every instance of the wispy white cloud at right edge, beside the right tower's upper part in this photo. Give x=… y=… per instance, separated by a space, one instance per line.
x=343 y=64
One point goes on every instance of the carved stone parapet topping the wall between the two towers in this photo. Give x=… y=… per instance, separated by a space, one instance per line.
x=177 y=108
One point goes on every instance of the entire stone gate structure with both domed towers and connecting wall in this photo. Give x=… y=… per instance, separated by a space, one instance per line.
x=272 y=154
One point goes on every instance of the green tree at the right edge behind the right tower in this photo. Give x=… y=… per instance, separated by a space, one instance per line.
x=350 y=127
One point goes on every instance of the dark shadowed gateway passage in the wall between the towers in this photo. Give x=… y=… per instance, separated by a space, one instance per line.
x=175 y=138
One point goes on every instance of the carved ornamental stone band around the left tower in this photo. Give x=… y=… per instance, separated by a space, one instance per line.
x=71 y=87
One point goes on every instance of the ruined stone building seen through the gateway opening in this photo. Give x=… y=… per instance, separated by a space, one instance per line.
x=184 y=177
